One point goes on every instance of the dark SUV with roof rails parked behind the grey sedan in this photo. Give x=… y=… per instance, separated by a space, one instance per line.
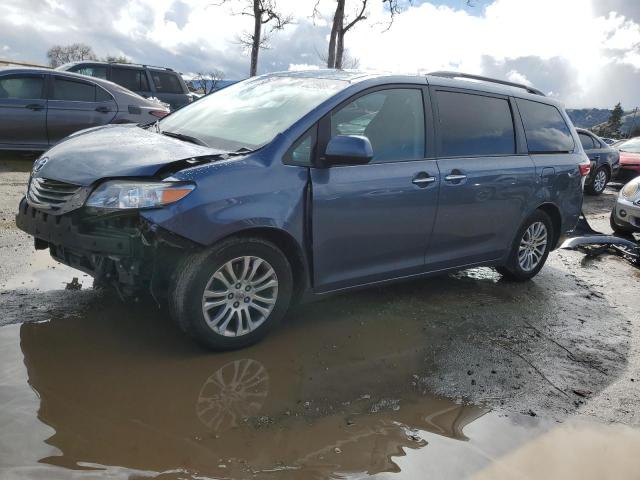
x=145 y=80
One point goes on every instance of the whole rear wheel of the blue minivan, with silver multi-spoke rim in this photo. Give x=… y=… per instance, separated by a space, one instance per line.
x=530 y=248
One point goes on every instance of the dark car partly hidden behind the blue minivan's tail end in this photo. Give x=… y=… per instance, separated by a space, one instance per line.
x=605 y=161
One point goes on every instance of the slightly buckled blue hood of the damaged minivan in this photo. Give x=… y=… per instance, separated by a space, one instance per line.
x=115 y=151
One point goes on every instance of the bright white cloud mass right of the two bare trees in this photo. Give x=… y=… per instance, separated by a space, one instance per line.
x=426 y=38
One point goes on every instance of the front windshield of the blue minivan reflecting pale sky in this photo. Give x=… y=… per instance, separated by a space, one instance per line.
x=250 y=114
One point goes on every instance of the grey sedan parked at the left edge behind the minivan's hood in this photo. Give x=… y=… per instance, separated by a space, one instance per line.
x=39 y=107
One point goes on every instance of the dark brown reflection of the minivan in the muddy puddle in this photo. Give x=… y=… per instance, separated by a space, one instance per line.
x=126 y=390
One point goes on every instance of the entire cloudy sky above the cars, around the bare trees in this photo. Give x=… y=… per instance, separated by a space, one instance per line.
x=571 y=47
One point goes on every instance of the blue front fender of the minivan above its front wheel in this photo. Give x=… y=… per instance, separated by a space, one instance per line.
x=234 y=196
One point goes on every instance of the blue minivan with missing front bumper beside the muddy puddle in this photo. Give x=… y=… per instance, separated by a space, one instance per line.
x=290 y=186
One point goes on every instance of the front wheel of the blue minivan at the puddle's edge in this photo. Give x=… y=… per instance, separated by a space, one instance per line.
x=251 y=310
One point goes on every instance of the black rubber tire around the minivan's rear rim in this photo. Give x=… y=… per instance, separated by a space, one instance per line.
x=513 y=269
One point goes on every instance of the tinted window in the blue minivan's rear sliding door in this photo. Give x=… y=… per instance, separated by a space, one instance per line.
x=475 y=125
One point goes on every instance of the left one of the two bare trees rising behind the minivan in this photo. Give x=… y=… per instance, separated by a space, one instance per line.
x=265 y=14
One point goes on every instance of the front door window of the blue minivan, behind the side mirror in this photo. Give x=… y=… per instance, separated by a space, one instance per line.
x=392 y=120
